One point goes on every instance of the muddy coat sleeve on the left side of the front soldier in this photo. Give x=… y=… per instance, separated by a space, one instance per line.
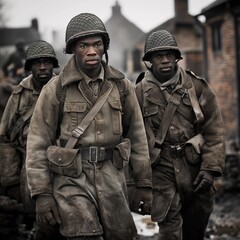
x=42 y=131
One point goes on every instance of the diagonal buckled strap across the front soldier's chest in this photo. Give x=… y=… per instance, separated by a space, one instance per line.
x=77 y=133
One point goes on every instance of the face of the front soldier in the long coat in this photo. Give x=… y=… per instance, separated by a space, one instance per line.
x=88 y=53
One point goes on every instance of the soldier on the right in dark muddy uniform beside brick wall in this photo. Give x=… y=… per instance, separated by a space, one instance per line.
x=185 y=137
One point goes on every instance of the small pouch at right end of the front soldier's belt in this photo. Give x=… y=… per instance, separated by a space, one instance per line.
x=121 y=153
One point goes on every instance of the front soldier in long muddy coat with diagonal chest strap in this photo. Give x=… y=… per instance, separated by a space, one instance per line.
x=92 y=110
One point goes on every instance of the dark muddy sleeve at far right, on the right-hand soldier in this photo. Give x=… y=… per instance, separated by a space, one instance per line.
x=213 y=152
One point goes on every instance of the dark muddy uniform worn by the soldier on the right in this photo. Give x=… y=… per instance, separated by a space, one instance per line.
x=176 y=165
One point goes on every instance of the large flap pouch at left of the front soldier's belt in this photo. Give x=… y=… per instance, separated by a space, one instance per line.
x=64 y=161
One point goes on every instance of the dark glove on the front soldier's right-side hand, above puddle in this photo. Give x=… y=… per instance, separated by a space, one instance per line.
x=142 y=201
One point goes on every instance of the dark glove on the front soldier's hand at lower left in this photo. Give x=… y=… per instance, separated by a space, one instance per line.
x=46 y=210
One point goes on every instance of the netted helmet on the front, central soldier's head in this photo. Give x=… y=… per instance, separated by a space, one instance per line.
x=85 y=25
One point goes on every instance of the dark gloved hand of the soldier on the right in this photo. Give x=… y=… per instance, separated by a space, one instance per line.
x=203 y=182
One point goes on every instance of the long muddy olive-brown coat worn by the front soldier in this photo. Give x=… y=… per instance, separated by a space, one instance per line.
x=94 y=191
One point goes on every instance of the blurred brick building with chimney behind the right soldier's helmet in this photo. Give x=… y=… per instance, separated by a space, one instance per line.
x=187 y=32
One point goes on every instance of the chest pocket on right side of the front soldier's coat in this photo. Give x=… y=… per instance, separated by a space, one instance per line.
x=116 y=116
